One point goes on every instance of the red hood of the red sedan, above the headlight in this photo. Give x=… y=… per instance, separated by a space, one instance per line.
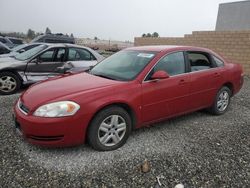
x=65 y=86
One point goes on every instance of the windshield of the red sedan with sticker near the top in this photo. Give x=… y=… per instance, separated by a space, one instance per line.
x=124 y=65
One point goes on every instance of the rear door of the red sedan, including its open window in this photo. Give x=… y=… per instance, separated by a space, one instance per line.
x=205 y=79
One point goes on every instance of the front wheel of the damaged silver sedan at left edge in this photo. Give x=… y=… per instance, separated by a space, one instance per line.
x=9 y=83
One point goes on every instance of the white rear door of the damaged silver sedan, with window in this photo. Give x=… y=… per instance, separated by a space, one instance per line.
x=80 y=58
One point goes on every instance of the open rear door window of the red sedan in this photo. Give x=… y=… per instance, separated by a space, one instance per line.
x=199 y=61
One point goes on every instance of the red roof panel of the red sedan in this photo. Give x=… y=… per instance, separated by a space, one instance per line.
x=160 y=48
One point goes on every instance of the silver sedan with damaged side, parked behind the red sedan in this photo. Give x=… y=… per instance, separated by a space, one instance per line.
x=43 y=62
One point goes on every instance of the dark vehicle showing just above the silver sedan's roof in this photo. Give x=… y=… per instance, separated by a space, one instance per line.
x=54 y=38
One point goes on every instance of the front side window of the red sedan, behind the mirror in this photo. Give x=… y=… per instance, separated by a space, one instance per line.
x=173 y=64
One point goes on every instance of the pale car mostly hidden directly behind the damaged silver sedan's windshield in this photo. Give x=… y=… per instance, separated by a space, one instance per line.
x=20 y=49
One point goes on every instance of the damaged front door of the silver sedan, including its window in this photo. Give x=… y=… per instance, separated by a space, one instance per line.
x=45 y=65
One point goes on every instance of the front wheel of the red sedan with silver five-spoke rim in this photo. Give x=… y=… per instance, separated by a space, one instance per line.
x=109 y=129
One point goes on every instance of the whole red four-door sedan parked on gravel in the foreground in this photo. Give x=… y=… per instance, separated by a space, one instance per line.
x=128 y=90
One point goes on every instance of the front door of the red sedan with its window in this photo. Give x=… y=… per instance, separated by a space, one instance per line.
x=167 y=97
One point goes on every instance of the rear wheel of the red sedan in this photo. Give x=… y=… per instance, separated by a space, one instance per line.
x=222 y=101
